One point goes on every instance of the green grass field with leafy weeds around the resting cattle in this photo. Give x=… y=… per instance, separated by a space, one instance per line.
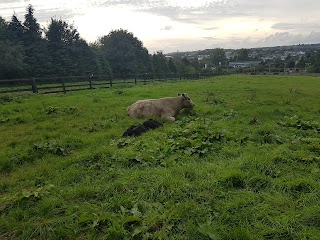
x=244 y=164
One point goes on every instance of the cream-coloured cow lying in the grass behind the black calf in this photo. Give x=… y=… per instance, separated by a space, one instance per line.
x=166 y=108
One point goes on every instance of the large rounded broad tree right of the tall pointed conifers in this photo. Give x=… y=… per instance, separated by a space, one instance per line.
x=125 y=53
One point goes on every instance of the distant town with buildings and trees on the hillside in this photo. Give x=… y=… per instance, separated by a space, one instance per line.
x=294 y=58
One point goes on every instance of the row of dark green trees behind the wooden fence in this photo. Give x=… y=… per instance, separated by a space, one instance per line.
x=27 y=50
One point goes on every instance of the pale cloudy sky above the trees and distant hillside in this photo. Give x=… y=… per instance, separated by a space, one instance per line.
x=182 y=25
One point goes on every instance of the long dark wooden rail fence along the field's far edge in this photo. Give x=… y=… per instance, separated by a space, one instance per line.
x=76 y=83
